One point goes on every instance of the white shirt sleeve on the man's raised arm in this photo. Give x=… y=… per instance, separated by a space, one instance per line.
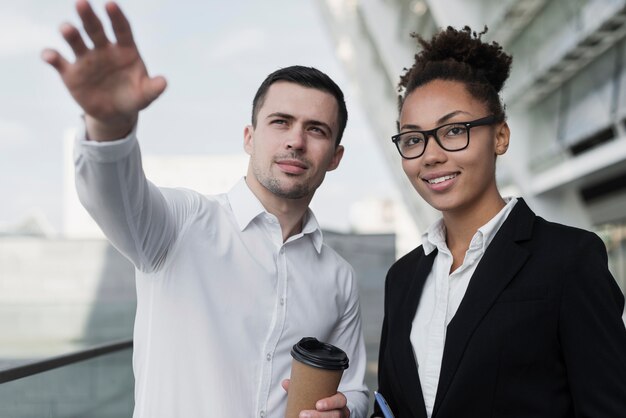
x=131 y=211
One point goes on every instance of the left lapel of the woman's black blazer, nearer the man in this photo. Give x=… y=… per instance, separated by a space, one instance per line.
x=403 y=356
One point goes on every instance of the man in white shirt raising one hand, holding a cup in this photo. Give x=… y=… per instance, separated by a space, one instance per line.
x=225 y=284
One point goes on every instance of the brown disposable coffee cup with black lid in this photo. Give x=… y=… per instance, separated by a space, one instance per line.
x=316 y=370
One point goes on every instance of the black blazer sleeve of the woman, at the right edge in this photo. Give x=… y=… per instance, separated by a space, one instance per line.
x=592 y=333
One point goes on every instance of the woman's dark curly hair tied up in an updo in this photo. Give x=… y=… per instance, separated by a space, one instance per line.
x=460 y=55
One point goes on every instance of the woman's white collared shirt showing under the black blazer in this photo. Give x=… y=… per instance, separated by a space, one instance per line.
x=441 y=296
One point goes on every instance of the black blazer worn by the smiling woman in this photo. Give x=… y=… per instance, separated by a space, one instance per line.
x=538 y=334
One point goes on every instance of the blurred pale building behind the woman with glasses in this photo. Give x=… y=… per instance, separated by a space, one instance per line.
x=566 y=97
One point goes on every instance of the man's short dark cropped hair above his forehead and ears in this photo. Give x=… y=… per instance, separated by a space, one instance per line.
x=306 y=77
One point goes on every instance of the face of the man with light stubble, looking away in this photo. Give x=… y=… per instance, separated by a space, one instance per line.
x=293 y=144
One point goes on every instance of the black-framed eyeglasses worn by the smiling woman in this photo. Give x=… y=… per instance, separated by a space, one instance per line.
x=450 y=137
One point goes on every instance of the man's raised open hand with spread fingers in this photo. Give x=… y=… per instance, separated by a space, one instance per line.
x=110 y=80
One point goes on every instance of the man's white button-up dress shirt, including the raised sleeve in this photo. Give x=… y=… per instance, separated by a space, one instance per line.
x=221 y=299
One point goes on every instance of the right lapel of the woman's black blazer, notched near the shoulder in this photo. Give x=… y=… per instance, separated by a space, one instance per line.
x=502 y=260
